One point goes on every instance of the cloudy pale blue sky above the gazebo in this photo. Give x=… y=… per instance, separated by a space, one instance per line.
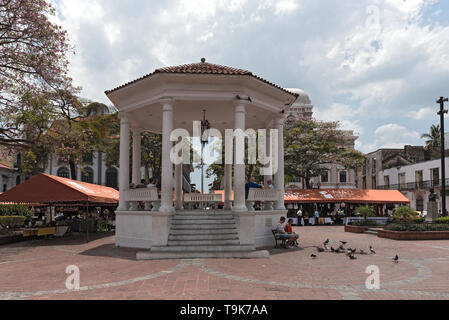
x=376 y=65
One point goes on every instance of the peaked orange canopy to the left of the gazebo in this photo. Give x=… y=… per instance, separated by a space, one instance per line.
x=47 y=189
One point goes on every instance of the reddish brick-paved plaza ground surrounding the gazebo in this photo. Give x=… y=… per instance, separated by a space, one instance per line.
x=36 y=270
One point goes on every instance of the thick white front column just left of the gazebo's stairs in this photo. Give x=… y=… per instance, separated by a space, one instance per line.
x=167 y=166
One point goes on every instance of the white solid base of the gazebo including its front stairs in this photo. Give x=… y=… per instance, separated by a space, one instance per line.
x=185 y=233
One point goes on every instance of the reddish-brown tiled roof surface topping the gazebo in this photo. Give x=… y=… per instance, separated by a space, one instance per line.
x=203 y=68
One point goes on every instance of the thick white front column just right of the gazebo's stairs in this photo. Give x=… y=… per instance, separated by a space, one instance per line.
x=239 y=169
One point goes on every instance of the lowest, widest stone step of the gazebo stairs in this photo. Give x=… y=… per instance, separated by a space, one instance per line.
x=148 y=255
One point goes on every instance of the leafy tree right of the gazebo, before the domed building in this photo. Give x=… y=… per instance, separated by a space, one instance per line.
x=308 y=145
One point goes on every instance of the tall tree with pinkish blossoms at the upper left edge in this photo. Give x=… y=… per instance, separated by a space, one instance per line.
x=33 y=62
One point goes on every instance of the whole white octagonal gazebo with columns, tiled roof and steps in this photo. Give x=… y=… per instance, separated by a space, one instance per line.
x=173 y=98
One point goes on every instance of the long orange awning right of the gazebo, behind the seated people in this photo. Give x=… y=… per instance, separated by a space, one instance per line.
x=346 y=196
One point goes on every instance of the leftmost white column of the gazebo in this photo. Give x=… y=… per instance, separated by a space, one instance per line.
x=124 y=161
